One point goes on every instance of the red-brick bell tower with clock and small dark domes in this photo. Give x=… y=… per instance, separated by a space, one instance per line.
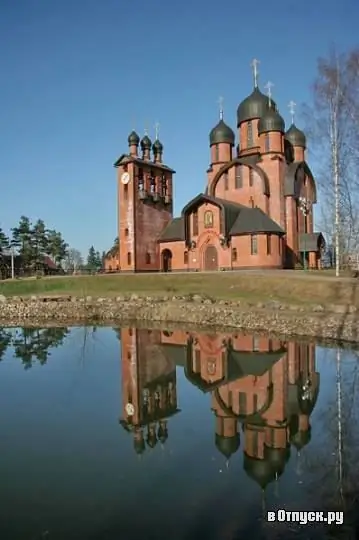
x=145 y=204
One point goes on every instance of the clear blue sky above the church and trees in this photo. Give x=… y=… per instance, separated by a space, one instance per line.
x=78 y=75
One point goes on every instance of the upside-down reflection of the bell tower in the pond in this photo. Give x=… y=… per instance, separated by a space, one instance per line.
x=148 y=388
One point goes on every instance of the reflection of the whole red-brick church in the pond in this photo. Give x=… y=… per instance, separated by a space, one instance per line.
x=265 y=386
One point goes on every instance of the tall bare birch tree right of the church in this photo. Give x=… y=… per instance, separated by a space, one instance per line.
x=333 y=131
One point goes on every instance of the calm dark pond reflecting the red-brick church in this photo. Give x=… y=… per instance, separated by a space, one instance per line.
x=134 y=433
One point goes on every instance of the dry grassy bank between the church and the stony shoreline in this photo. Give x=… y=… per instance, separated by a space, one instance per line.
x=289 y=287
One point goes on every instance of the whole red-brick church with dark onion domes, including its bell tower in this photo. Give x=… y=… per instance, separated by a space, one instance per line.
x=255 y=212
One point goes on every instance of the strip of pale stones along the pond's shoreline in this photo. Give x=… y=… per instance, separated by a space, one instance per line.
x=337 y=322
